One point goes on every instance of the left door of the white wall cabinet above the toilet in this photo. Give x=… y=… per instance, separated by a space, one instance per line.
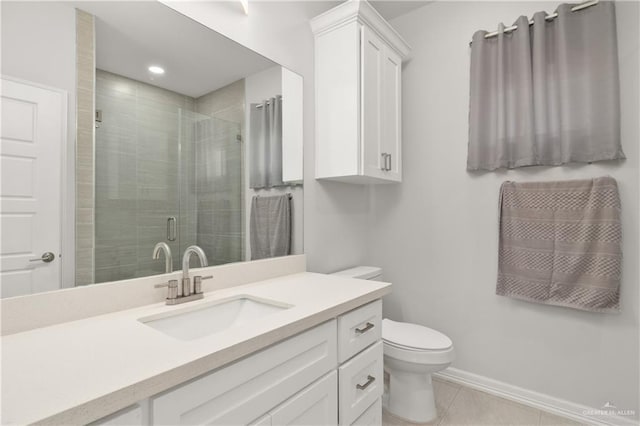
x=372 y=51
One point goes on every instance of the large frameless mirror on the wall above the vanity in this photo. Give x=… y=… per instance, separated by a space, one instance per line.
x=168 y=123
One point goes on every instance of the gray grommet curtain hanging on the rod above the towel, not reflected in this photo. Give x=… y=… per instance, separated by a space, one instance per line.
x=546 y=94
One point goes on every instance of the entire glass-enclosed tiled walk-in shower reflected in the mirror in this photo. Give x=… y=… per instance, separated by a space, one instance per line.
x=164 y=173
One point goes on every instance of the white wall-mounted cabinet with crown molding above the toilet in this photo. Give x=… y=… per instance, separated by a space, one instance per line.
x=358 y=58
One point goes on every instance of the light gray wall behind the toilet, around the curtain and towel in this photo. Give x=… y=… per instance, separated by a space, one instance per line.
x=436 y=234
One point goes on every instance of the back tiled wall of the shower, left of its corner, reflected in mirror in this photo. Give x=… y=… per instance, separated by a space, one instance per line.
x=136 y=175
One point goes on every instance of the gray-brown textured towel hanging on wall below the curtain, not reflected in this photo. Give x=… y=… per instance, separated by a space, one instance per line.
x=560 y=243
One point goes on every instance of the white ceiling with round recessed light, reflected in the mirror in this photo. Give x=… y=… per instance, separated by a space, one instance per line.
x=131 y=36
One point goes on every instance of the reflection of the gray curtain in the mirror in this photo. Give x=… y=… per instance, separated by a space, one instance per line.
x=265 y=144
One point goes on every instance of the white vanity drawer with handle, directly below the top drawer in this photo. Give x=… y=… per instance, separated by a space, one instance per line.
x=360 y=384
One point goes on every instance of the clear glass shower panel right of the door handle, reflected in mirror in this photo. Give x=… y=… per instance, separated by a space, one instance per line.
x=211 y=187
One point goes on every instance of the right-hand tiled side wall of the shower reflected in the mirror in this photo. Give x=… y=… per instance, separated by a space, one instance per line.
x=220 y=195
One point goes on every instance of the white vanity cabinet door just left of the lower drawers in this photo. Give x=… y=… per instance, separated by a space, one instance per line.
x=315 y=405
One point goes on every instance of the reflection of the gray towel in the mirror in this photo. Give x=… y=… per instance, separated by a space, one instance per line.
x=270 y=232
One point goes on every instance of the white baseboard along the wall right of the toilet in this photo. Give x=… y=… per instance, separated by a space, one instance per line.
x=559 y=407
